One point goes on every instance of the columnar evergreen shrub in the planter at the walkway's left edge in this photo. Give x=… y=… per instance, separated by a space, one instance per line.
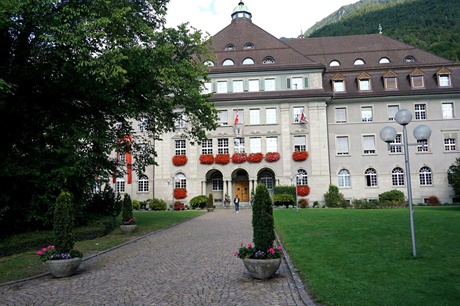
x=64 y=219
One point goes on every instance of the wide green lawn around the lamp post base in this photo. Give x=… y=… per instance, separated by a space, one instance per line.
x=364 y=257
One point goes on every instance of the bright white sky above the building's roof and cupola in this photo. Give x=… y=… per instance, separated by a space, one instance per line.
x=280 y=18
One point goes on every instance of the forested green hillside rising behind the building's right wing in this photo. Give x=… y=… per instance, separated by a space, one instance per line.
x=432 y=25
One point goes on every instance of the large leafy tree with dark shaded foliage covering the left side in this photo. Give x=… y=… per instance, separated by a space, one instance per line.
x=75 y=76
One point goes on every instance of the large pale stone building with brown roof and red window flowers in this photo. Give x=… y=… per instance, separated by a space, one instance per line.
x=327 y=96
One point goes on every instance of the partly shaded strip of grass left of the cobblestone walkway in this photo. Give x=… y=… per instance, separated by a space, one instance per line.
x=27 y=264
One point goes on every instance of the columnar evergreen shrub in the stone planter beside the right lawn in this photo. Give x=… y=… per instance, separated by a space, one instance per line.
x=262 y=219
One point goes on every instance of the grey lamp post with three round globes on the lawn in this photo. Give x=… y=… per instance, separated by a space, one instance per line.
x=421 y=132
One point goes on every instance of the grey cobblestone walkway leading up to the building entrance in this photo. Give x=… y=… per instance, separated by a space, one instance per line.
x=191 y=263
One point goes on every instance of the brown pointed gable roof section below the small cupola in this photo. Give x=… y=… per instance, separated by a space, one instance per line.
x=243 y=31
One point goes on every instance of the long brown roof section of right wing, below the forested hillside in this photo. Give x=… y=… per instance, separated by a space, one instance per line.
x=369 y=48
